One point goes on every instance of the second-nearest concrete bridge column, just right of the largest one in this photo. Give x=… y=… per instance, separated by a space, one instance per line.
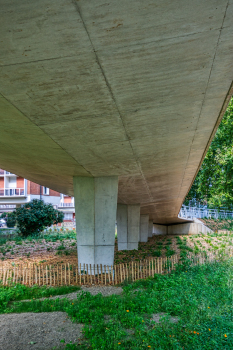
x=128 y=226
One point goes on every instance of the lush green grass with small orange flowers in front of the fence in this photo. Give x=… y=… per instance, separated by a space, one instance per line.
x=200 y=296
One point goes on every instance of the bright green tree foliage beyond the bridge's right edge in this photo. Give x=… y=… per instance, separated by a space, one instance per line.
x=214 y=183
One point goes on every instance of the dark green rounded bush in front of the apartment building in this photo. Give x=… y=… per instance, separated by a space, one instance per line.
x=35 y=216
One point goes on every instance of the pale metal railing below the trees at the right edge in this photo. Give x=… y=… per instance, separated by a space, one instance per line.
x=196 y=212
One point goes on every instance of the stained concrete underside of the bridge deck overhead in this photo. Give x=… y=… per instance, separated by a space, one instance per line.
x=134 y=89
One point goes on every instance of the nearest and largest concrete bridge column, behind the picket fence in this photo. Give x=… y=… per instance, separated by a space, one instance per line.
x=95 y=211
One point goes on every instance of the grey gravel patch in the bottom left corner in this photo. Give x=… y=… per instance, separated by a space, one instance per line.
x=37 y=331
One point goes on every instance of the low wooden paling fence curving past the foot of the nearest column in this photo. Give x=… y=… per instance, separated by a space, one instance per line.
x=76 y=274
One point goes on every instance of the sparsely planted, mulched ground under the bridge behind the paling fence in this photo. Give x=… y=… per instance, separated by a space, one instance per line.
x=60 y=245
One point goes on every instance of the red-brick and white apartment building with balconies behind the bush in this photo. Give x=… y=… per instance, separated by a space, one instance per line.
x=15 y=191
